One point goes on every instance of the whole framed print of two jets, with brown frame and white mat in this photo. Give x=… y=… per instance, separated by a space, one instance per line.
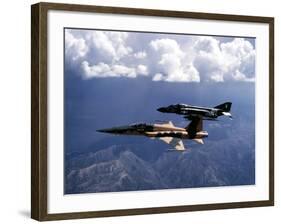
x=141 y=111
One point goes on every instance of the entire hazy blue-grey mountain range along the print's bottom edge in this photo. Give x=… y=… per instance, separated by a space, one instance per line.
x=113 y=169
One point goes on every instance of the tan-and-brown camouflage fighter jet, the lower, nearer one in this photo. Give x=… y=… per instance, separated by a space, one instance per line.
x=166 y=132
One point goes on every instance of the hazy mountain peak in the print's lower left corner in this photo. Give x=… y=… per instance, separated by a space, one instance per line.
x=123 y=172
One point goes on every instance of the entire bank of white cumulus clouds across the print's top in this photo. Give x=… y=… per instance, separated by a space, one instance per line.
x=101 y=54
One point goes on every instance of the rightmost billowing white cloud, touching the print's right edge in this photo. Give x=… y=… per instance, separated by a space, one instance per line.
x=231 y=61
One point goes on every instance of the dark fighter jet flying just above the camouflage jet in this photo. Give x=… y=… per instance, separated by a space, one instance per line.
x=190 y=112
